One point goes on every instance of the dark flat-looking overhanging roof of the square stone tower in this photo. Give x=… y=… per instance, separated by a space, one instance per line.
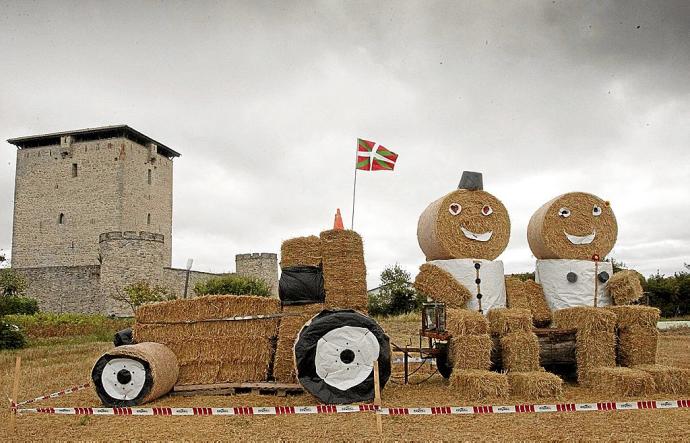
x=35 y=141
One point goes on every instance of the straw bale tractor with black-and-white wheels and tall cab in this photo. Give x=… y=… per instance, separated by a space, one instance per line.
x=317 y=334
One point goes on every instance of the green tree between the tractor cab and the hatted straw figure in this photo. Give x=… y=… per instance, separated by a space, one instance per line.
x=396 y=295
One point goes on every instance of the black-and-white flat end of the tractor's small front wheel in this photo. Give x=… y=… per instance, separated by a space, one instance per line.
x=111 y=387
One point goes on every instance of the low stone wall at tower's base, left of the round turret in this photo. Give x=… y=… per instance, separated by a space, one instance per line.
x=65 y=288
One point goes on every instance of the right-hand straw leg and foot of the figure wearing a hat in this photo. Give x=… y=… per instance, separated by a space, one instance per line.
x=520 y=355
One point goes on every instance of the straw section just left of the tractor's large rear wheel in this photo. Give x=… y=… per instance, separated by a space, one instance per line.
x=284 y=361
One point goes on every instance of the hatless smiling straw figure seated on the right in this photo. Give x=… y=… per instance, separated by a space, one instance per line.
x=570 y=236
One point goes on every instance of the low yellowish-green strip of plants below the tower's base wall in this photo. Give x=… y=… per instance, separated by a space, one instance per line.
x=48 y=325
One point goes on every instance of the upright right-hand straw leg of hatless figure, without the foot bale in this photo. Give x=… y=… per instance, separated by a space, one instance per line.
x=638 y=337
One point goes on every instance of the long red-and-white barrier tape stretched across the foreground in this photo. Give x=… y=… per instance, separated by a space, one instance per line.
x=338 y=409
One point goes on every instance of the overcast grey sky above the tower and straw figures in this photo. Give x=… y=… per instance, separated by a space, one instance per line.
x=265 y=101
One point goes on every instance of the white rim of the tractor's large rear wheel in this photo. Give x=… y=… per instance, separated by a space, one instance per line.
x=330 y=366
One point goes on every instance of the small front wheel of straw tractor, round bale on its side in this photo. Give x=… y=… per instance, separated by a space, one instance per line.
x=132 y=375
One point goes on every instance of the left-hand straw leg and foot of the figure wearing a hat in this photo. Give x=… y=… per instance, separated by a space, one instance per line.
x=470 y=355
